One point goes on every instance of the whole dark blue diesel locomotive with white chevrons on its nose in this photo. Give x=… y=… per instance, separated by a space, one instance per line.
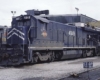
x=33 y=38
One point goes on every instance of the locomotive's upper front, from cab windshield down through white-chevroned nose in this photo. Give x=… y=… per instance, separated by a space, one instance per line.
x=19 y=30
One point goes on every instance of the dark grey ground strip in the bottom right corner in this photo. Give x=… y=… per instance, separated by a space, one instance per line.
x=89 y=75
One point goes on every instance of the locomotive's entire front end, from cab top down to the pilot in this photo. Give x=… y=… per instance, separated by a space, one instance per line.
x=18 y=39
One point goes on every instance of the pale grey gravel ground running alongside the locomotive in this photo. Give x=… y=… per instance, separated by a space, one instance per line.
x=47 y=71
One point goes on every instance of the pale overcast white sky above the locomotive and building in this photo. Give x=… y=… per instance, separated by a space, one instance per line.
x=90 y=8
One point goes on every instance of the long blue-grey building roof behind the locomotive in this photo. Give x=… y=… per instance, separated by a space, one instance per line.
x=69 y=18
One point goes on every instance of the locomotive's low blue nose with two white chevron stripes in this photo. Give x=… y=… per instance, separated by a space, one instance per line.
x=17 y=35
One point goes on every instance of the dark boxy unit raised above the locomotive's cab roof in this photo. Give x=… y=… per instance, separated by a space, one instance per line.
x=36 y=12
